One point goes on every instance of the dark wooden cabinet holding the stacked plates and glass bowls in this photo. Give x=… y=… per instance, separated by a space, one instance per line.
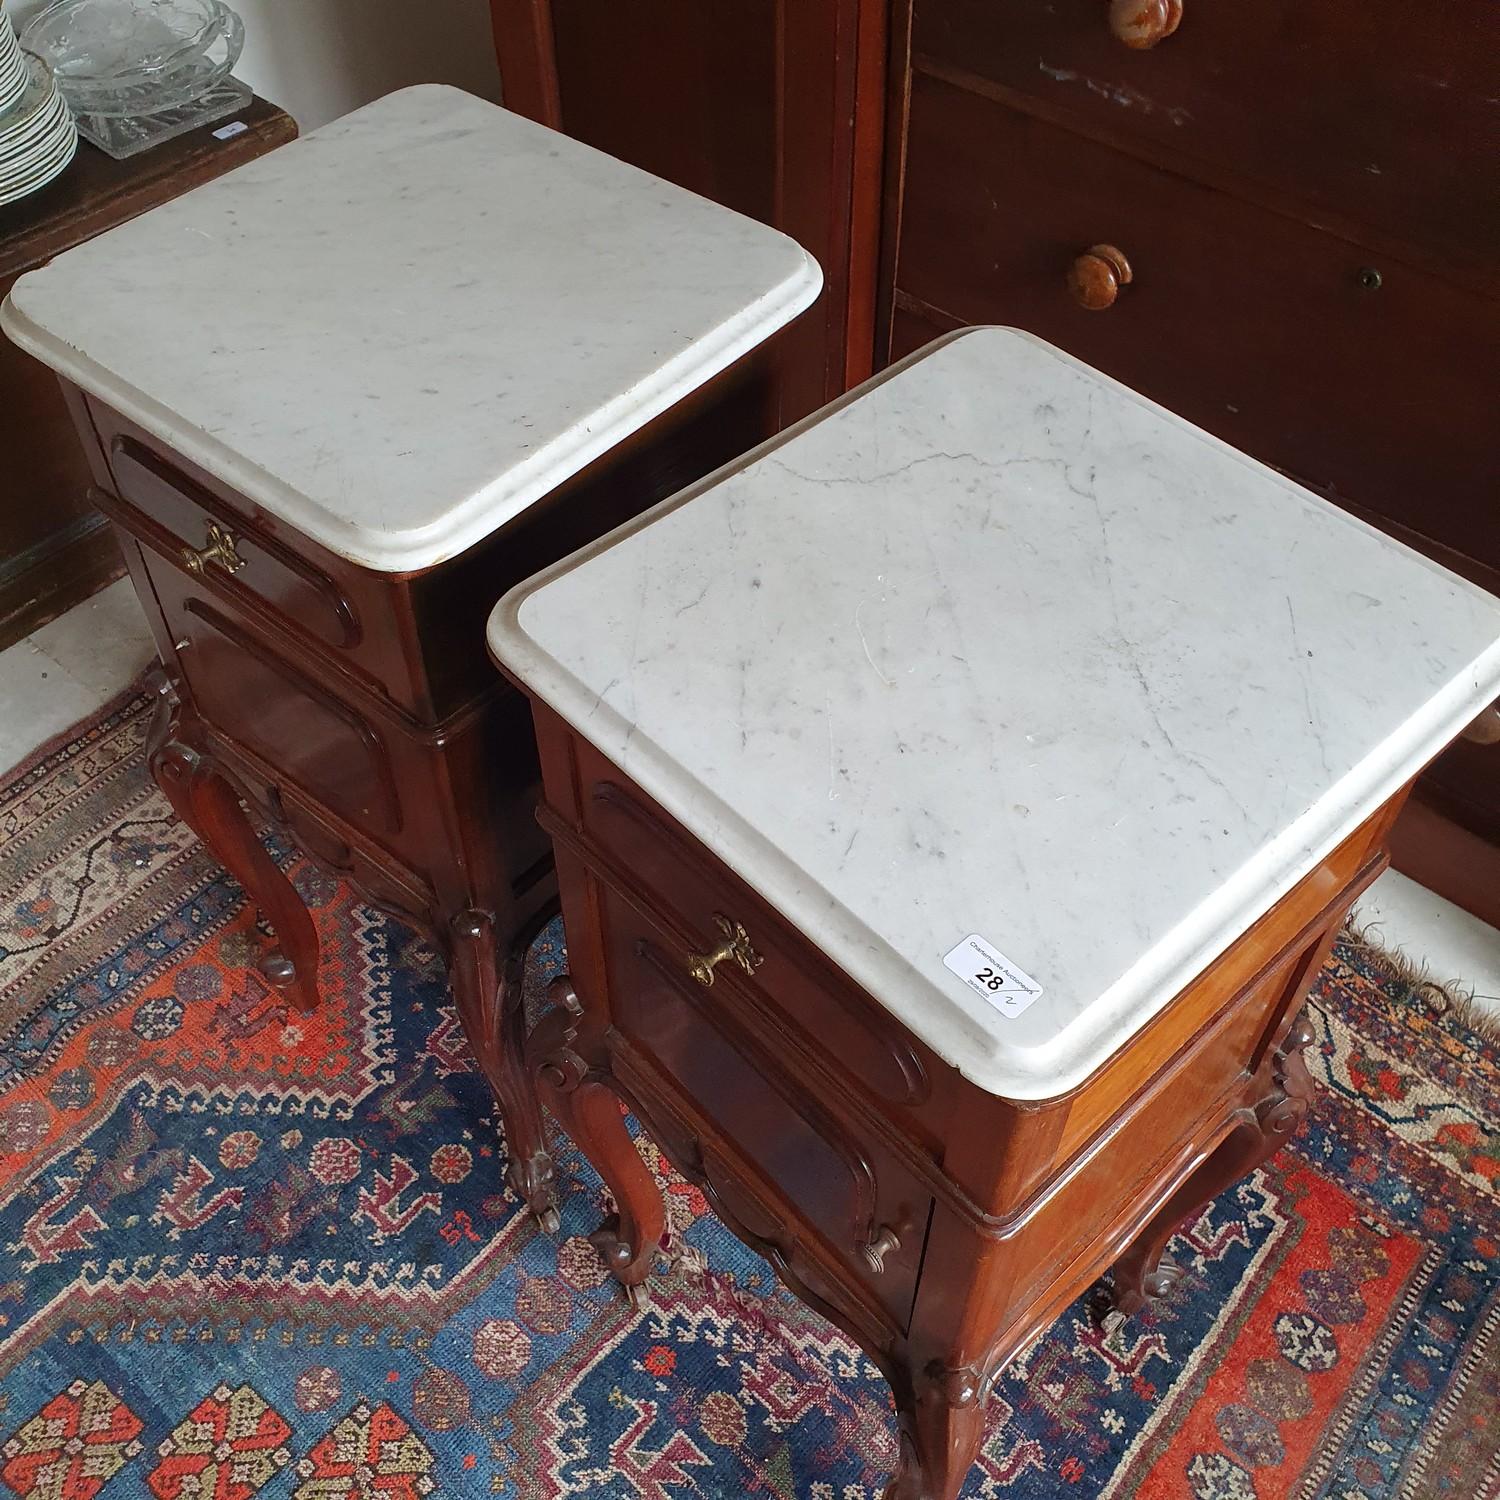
x=55 y=550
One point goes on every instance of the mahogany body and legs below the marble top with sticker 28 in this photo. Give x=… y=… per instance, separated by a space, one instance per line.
x=938 y=1225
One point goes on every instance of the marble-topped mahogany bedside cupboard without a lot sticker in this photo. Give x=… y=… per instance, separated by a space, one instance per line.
x=331 y=400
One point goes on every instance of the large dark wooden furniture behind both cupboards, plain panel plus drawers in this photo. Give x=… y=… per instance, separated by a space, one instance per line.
x=1304 y=197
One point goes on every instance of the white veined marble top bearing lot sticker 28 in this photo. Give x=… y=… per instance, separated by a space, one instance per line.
x=1001 y=649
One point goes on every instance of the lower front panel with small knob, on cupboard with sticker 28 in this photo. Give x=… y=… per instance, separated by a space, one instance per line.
x=775 y=1144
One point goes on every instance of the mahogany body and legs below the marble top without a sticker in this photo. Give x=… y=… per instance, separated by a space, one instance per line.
x=361 y=713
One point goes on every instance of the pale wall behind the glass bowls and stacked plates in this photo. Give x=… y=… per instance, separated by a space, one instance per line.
x=320 y=59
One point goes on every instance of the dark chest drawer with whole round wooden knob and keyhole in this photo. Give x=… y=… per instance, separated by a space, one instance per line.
x=1259 y=329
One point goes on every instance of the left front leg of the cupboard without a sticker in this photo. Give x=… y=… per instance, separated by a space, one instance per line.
x=208 y=805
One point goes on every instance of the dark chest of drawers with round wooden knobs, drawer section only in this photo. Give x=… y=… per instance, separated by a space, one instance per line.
x=1307 y=215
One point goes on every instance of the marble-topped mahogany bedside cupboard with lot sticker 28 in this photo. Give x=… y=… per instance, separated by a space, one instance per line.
x=955 y=802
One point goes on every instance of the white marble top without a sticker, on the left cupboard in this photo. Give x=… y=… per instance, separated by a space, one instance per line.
x=401 y=331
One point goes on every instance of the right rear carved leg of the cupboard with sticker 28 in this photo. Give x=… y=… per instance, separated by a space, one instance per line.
x=1261 y=1130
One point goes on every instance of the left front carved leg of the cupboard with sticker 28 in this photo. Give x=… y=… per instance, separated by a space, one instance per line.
x=572 y=1069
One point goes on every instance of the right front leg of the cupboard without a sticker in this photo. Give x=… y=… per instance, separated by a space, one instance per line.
x=494 y=1019
